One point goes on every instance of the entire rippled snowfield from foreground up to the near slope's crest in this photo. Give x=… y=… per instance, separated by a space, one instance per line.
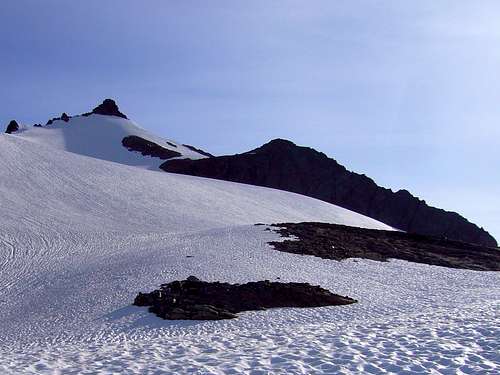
x=80 y=237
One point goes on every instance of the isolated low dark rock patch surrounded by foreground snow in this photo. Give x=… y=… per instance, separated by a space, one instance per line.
x=199 y=300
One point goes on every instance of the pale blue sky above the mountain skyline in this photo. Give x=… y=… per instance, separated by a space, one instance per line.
x=407 y=92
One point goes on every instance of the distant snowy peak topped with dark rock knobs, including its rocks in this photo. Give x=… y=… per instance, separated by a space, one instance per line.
x=106 y=133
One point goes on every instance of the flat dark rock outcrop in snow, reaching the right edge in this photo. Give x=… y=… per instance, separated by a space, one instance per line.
x=338 y=242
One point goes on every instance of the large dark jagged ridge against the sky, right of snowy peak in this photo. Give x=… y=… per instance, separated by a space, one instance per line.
x=280 y=164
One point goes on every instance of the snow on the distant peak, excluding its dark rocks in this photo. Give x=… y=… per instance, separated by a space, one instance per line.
x=100 y=136
